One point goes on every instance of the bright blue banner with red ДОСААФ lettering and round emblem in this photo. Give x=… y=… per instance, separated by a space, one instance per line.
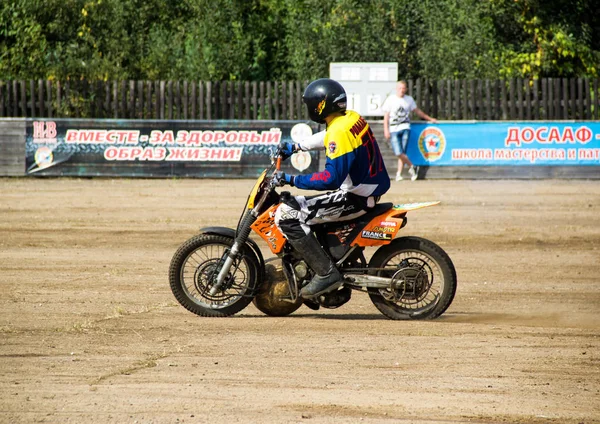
x=505 y=143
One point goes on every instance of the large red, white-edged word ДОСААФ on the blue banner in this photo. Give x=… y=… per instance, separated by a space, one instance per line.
x=548 y=135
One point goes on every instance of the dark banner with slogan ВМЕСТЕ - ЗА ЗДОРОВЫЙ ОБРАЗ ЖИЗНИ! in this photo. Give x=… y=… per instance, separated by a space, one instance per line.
x=145 y=148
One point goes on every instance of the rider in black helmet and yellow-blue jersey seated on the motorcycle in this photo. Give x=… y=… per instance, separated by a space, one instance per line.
x=354 y=177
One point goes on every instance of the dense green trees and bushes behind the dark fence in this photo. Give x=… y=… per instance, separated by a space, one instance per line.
x=292 y=39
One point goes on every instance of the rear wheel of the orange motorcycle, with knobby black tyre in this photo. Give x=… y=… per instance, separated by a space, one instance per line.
x=424 y=279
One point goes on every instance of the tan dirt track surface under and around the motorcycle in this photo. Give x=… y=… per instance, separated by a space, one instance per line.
x=90 y=332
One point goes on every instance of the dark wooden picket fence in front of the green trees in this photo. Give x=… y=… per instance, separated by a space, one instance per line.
x=475 y=99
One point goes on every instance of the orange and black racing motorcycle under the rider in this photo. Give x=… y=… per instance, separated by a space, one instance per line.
x=220 y=271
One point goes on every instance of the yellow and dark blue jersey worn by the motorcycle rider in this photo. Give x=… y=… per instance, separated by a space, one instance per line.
x=354 y=163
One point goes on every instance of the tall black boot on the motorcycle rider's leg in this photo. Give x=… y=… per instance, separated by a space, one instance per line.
x=327 y=276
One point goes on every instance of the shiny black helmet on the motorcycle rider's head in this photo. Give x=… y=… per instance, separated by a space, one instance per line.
x=324 y=97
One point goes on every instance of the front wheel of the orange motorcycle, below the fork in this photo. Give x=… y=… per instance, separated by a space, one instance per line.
x=193 y=271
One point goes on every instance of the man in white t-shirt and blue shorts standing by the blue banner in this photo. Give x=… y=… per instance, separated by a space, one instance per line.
x=396 y=125
